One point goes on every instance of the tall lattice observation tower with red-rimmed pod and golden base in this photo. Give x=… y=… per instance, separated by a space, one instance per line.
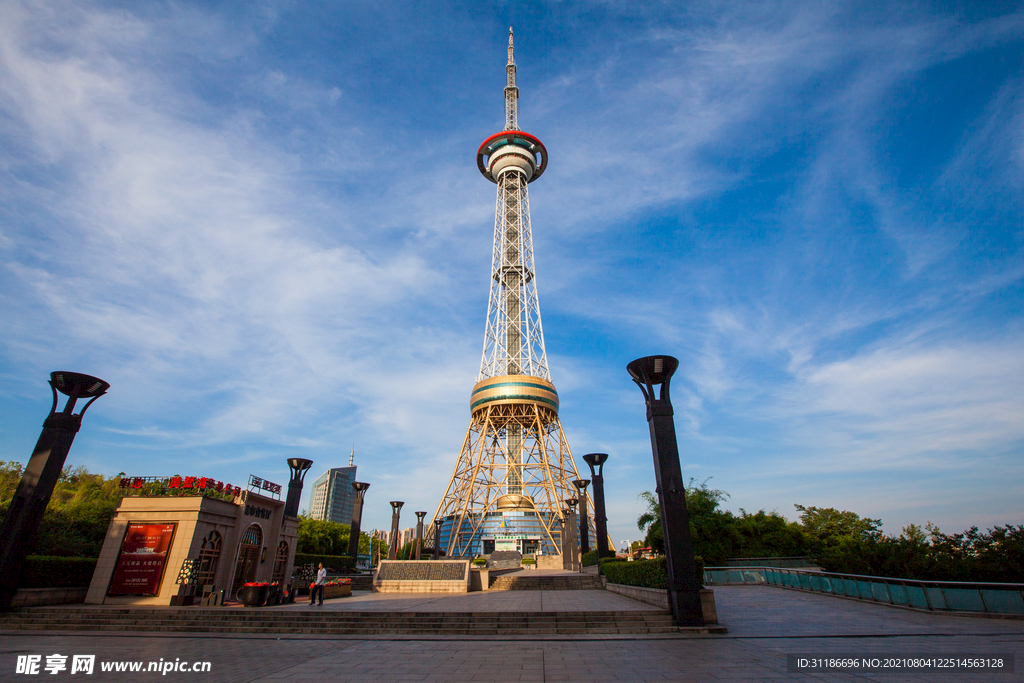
x=516 y=471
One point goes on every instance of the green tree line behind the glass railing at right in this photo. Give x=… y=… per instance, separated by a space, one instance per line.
x=842 y=541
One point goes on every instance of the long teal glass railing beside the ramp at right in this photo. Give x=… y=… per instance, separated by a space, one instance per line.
x=950 y=596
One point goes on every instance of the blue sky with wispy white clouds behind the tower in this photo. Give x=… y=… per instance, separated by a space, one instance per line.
x=263 y=225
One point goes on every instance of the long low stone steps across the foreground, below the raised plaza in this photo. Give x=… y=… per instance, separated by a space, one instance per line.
x=228 y=620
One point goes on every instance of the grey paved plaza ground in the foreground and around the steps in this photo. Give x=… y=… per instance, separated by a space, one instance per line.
x=765 y=624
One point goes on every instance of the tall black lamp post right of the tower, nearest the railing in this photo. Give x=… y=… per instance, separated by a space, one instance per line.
x=685 y=586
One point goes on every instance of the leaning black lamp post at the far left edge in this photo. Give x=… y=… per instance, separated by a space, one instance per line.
x=41 y=475
